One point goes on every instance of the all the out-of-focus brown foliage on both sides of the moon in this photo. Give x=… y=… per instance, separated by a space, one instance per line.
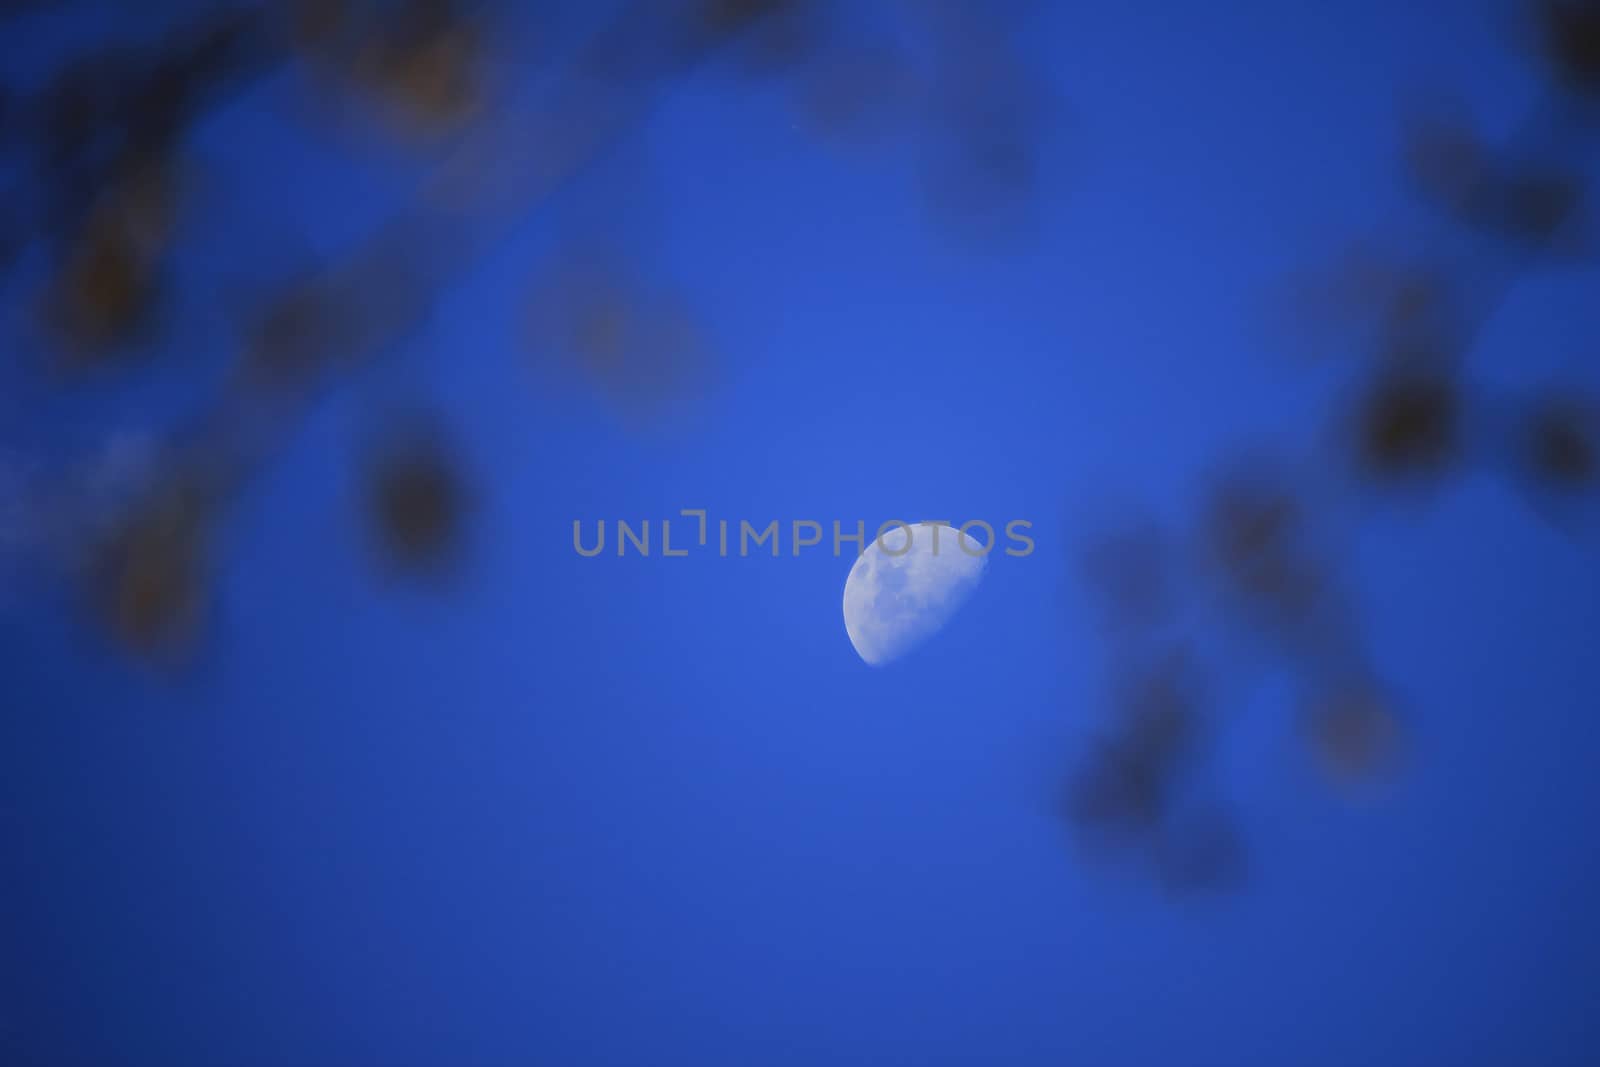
x=102 y=180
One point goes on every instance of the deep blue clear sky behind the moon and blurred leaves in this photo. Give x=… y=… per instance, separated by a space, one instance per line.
x=658 y=812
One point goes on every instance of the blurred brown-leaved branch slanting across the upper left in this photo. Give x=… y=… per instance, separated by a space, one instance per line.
x=105 y=142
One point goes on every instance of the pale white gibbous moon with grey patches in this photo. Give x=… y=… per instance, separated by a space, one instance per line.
x=898 y=596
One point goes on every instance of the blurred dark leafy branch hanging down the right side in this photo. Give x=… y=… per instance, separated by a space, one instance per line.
x=1415 y=422
